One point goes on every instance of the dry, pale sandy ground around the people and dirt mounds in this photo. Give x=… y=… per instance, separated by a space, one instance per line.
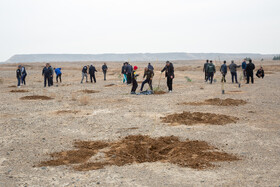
x=32 y=129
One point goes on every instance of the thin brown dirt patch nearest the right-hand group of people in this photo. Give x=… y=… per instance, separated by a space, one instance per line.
x=219 y=102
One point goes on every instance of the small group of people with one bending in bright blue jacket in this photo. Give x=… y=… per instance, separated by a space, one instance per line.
x=48 y=73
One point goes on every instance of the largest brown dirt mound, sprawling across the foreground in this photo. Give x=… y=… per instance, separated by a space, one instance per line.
x=139 y=149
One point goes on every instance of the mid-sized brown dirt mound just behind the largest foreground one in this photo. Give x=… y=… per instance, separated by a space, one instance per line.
x=188 y=118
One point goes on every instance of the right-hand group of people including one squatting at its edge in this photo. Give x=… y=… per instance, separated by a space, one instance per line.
x=248 y=71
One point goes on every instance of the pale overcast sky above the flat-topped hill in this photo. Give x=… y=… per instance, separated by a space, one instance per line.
x=132 y=26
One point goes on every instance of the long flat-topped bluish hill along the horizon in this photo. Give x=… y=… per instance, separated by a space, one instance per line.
x=131 y=57
